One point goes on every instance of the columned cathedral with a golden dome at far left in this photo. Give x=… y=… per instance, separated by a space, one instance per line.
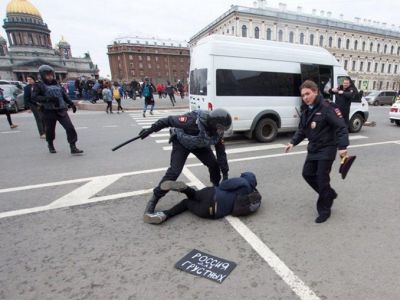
x=29 y=46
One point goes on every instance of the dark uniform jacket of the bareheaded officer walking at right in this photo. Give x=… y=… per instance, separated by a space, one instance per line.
x=325 y=129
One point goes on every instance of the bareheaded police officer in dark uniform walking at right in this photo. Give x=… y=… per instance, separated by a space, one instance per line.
x=324 y=127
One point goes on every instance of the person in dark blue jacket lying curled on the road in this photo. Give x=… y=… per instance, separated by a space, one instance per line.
x=235 y=196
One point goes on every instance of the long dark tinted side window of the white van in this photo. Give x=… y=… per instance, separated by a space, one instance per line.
x=257 y=83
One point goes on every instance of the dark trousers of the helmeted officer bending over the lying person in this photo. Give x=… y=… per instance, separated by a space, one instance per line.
x=178 y=158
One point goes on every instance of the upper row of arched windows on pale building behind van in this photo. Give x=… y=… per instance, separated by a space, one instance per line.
x=339 y=43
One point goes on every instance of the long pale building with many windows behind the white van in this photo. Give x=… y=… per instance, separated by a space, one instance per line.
x=368 y=50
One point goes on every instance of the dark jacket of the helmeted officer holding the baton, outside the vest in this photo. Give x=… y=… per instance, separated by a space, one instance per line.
x=189 y=124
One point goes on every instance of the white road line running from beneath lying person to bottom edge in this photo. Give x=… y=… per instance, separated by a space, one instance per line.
x=280 y=268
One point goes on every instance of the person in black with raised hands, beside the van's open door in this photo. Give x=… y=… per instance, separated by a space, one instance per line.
x=344 y=95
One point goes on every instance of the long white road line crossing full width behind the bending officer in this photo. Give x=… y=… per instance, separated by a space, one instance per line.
x=148 y=171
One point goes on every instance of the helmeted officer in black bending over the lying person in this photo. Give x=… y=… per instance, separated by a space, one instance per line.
x=193 y=132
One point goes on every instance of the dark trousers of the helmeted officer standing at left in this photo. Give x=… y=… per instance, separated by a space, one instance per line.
x=51 y=117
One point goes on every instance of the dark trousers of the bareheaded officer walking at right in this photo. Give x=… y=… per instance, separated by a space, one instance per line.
x=316 y=173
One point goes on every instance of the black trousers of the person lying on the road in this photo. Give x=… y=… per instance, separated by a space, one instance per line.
x=198 y=202
